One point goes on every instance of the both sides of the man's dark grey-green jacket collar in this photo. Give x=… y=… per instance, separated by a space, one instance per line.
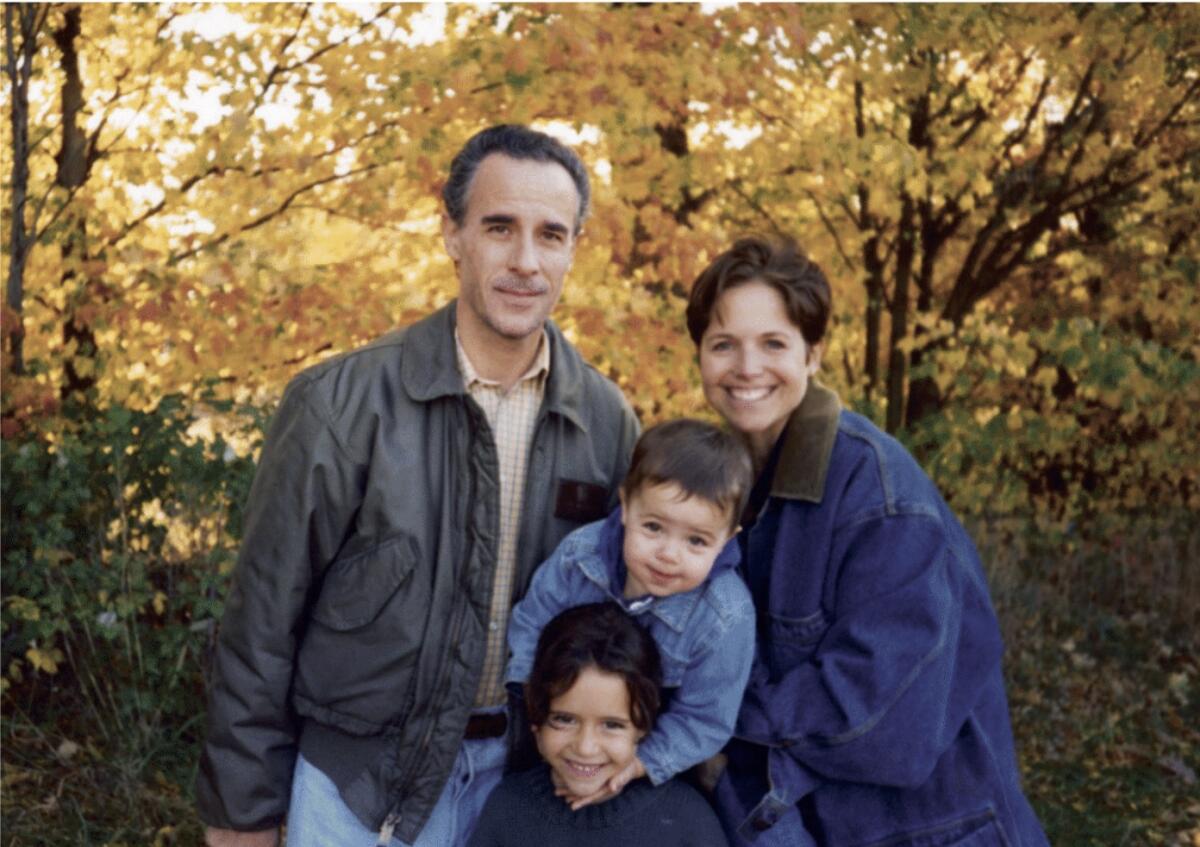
x=430 y=368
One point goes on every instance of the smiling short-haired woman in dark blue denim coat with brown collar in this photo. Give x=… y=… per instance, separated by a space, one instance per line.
x=877 y=710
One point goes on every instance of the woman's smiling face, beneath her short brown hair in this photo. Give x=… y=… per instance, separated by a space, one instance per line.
x=755 y=364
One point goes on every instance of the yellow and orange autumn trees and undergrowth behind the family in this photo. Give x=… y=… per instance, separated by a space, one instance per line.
x=201 y=201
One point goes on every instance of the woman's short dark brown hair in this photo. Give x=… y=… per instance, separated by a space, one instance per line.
x=777 y=263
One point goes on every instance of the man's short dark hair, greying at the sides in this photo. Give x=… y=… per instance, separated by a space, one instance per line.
x=515 y=142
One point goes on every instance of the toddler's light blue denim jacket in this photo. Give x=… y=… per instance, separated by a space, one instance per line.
x=705 y=636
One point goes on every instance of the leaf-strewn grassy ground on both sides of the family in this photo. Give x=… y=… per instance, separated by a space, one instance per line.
x=1105 y=687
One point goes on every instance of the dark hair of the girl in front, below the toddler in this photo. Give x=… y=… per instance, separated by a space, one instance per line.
x=605 y=638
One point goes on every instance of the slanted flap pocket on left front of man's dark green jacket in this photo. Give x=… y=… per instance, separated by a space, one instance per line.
x=356 y=591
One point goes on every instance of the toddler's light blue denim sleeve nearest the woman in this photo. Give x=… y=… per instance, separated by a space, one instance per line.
x=701 y=717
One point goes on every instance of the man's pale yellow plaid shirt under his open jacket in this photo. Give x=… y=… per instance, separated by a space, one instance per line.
x=512 y=417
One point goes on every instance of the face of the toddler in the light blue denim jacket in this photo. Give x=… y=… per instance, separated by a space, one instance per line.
x=671 y=539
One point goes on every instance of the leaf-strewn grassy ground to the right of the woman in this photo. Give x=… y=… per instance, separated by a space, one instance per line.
x=1103 y=672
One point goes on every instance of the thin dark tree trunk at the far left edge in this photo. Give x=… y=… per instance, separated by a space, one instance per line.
x=20 y=70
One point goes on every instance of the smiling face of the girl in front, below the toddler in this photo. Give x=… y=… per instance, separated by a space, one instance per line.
x=589 y=735
